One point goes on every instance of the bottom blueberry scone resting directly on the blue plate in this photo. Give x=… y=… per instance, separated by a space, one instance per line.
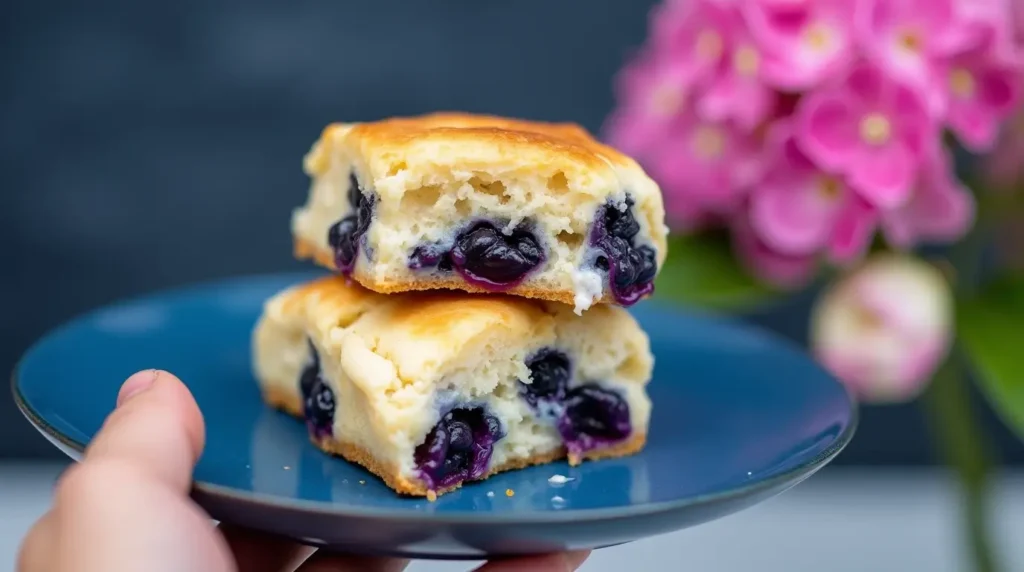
x=432 y=390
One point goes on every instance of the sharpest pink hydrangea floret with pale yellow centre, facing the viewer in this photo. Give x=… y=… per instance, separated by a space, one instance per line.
x=871 y=129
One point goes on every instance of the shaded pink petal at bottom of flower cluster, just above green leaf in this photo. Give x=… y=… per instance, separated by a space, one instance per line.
x=782 y=271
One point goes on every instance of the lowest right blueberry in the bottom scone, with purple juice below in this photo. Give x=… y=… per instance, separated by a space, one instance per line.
x=593 y=416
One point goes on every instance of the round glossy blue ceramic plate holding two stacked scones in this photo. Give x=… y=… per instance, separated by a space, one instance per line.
x=739 y=417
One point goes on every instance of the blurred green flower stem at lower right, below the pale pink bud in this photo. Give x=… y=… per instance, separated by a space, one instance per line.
x=965 y=450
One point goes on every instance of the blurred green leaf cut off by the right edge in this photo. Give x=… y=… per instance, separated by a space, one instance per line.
x=991 y=327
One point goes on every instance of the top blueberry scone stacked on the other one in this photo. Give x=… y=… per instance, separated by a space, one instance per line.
x=482 y=204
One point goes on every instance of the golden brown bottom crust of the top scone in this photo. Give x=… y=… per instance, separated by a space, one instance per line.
x=308 y=251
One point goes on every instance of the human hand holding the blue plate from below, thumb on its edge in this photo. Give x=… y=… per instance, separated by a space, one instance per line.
x=126 y=507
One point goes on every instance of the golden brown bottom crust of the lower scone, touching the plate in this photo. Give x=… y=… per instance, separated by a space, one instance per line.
x=355 y=454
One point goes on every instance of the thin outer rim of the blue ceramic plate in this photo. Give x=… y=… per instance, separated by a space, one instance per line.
x=791 y=477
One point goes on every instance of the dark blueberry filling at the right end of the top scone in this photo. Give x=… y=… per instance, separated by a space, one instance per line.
x=631 y=269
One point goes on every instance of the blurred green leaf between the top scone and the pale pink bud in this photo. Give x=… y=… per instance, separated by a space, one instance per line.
x=703 y=271
